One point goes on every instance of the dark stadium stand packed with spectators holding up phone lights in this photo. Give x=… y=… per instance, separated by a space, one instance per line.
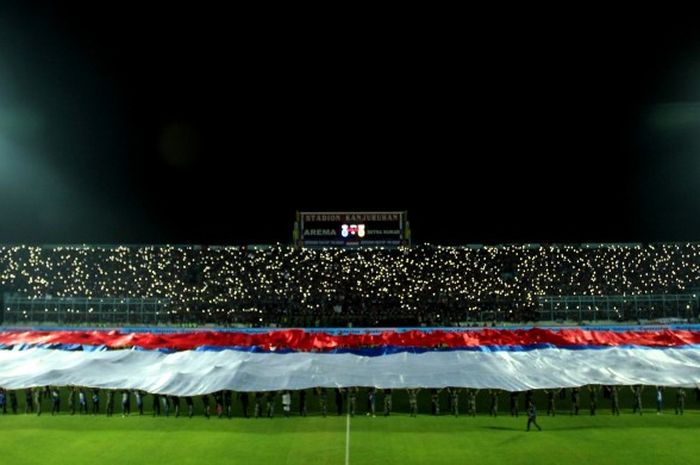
x=287 y=286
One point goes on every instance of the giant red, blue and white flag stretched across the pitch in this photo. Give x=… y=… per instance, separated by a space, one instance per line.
x=199 y=362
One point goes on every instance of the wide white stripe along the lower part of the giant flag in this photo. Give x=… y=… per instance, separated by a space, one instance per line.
x=195 y=373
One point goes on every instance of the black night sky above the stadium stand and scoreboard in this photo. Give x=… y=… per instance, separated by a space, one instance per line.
x=129 y=124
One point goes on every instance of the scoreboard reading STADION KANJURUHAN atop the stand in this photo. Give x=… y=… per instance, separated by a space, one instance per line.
x=351 y=229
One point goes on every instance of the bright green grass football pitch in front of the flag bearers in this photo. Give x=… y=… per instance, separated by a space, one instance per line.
x=397 y=439
